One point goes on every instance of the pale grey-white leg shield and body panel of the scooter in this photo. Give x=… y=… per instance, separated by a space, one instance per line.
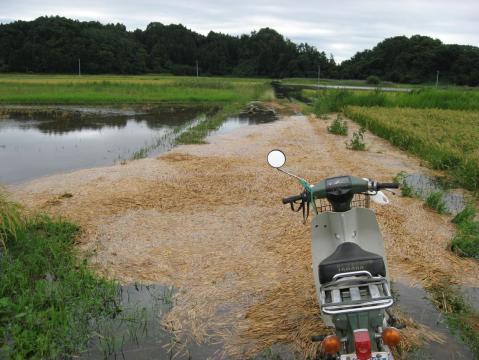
x=329 y=229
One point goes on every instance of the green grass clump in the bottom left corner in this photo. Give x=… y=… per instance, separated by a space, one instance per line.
x=47 y=297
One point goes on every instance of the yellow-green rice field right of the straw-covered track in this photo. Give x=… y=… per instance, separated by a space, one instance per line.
x=447 y=139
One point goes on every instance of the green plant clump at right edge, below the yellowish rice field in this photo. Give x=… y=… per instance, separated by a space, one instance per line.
x=466 y=240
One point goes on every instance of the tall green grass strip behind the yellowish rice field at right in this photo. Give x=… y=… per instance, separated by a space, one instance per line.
x=428 y=98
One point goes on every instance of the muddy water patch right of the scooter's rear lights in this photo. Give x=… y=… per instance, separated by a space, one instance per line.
x=414 y=302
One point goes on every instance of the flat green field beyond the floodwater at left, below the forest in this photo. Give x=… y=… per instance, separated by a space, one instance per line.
x=97 y=89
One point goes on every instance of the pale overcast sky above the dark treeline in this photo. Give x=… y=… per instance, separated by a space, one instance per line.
x=340 y=27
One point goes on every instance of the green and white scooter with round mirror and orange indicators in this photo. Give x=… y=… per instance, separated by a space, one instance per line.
x=349 y=264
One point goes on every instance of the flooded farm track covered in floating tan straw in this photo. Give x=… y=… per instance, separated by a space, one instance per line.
x=209 y=220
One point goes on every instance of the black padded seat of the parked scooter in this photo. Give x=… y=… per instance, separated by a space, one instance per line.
x=350 y=257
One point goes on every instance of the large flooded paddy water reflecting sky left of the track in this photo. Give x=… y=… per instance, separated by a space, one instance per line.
x=36 y=142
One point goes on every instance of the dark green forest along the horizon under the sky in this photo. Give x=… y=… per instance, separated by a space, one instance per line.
x=54 y=45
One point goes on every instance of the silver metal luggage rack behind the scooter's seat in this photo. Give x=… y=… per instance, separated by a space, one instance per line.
x=355 y=291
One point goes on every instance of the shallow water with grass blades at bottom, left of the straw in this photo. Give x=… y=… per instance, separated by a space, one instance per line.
x=137 y=333
